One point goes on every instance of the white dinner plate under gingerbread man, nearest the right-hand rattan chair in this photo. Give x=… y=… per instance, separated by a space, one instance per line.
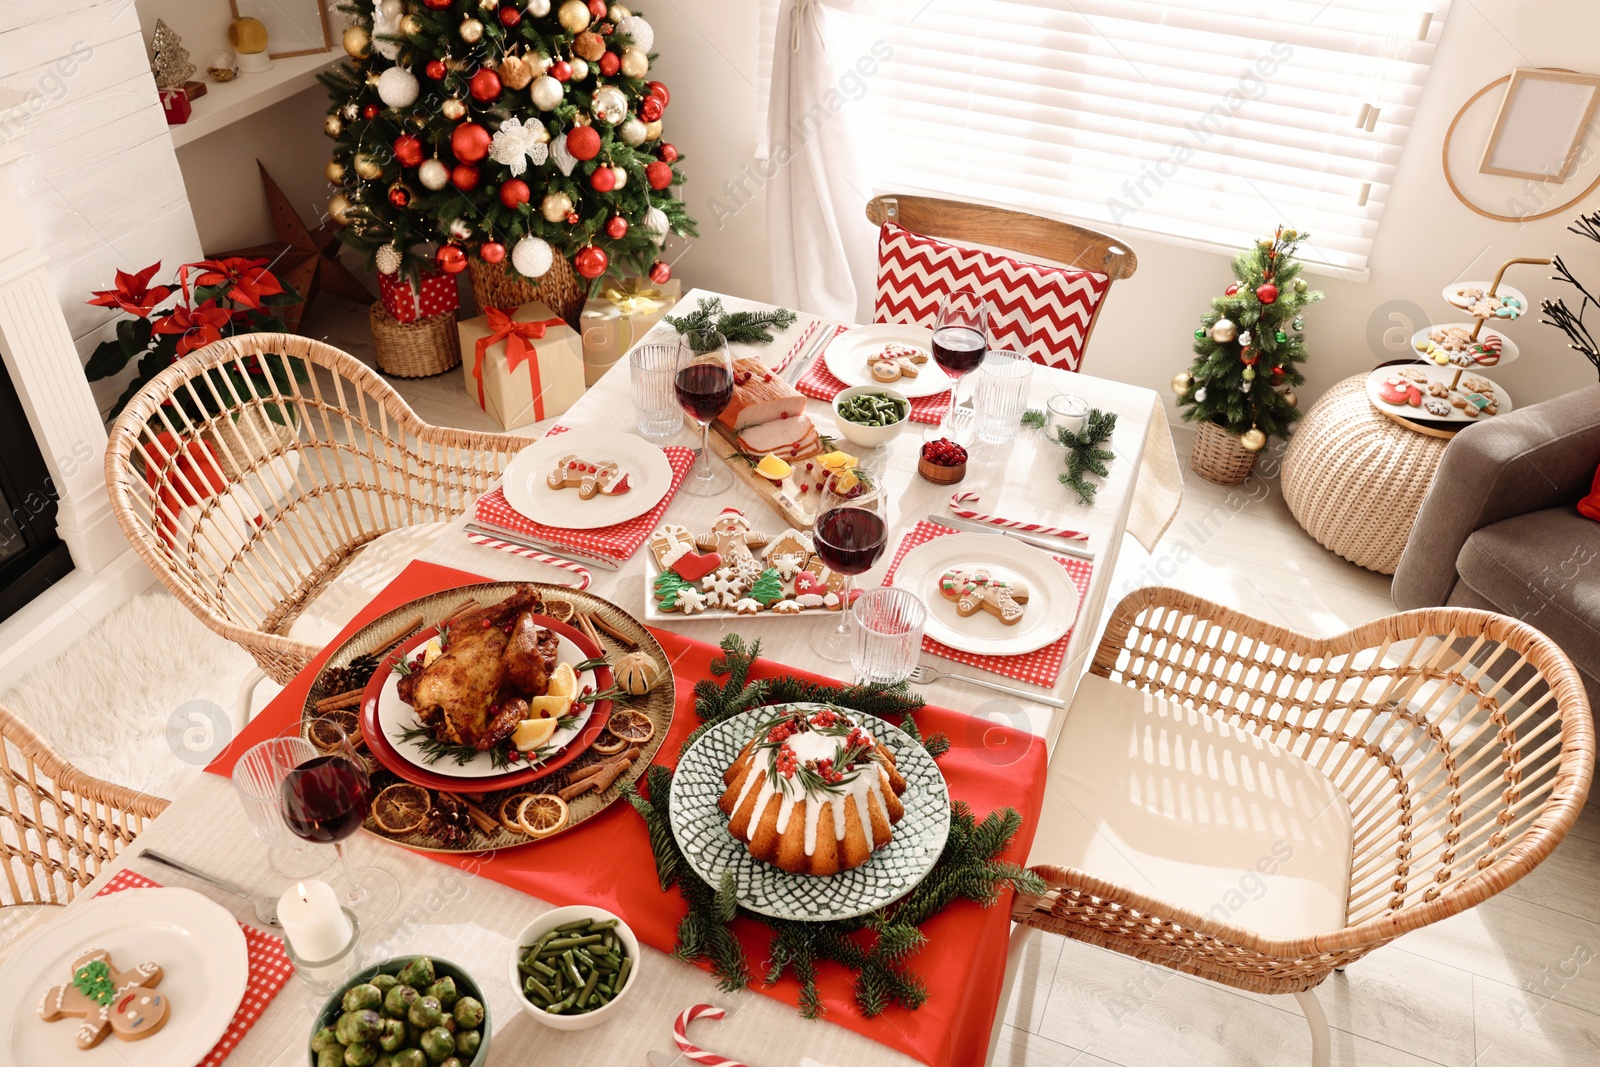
x=1052 y=604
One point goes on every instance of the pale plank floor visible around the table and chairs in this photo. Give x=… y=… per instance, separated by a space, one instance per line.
x=1511 y=983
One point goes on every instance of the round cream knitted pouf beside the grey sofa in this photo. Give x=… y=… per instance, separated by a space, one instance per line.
x=1354 y=479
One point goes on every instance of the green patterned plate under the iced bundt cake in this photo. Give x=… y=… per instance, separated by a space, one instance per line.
x=894 y=871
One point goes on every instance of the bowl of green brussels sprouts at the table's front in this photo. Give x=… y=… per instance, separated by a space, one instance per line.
x=410 y=1012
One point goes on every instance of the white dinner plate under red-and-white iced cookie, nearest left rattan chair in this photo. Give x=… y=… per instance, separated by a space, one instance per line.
x=649 y=474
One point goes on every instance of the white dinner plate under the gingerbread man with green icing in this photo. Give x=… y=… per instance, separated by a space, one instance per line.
x=206 y=969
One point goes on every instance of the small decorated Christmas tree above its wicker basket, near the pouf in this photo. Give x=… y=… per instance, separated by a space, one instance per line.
x=1249 y=346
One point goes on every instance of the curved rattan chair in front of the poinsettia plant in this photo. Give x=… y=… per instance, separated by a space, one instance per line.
x=345 y=463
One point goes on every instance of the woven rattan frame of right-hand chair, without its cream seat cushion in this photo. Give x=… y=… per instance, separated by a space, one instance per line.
x=1462 y=743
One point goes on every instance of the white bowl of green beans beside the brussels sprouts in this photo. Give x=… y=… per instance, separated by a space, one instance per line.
x=574 y=967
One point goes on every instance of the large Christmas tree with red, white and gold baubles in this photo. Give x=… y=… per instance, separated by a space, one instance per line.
x=510 y=132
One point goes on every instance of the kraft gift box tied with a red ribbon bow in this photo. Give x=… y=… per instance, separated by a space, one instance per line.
x=522 y=366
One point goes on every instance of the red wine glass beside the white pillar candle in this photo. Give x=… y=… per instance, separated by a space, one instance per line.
x=326 y=799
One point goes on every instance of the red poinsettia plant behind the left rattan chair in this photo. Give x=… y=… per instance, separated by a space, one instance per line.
x=210 y=300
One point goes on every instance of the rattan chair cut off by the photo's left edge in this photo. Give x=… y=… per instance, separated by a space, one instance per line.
x=58 y=826
